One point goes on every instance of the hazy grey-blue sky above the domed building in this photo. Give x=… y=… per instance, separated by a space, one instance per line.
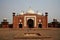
x=7 y=7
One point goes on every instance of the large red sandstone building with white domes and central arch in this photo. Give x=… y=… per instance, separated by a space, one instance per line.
x=30 y=19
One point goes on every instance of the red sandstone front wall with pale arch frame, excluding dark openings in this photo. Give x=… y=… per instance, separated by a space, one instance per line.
x=25 y=17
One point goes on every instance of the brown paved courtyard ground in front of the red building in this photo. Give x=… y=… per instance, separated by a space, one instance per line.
x=30 y=34
